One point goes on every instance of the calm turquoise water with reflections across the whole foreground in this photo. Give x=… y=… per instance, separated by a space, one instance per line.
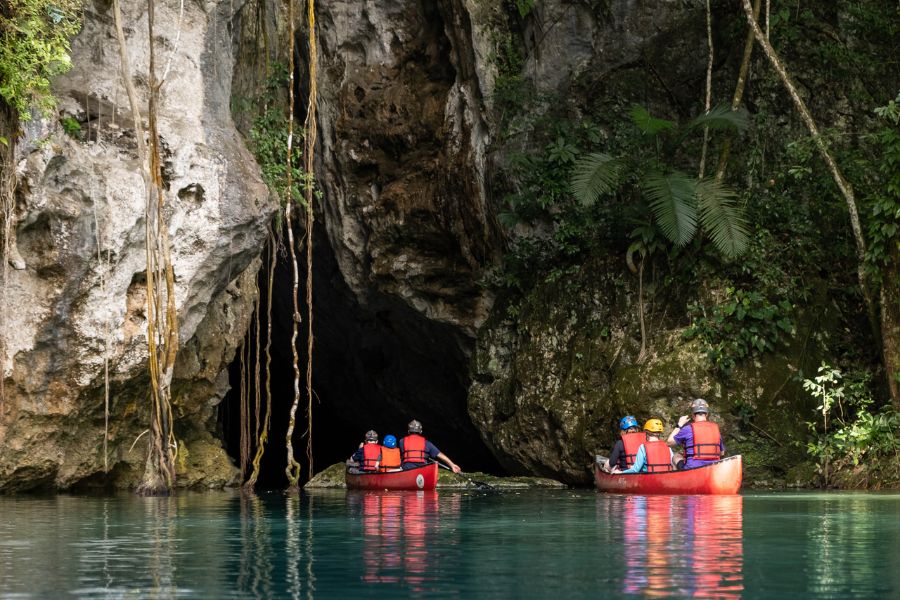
x=571 y=544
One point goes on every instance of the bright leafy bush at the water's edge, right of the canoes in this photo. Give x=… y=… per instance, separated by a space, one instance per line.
x=857 y=433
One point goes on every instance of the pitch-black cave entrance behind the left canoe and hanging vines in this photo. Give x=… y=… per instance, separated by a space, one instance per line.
x=375 y=367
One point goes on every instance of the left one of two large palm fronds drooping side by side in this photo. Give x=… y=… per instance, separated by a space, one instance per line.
x=672 y=199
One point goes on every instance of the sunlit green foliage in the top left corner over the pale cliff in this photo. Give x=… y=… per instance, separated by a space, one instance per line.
x=34 y=47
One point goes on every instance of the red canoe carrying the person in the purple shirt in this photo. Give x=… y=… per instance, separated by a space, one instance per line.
x=723 y=477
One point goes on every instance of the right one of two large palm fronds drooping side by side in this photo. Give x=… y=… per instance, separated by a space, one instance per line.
x=721 y=218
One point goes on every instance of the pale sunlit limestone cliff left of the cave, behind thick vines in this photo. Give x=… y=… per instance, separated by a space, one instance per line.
x=78 y=304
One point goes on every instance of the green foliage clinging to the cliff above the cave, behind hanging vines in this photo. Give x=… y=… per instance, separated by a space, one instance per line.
x=268 y=138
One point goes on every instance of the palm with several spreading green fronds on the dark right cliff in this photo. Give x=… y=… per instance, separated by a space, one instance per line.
x=678 y=202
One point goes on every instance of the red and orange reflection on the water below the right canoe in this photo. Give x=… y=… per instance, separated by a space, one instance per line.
x=689 y=546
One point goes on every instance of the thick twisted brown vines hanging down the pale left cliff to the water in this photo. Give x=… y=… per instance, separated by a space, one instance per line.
x=162 y=320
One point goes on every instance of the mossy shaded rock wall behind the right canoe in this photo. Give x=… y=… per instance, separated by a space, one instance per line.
x=549 y=389
